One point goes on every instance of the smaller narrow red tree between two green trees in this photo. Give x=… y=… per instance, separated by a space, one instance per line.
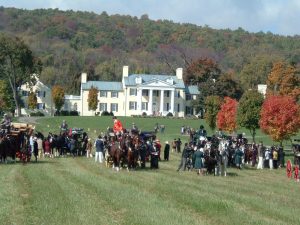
x=226 y=118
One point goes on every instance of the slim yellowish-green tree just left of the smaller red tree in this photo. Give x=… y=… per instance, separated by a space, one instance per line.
x=212 y=107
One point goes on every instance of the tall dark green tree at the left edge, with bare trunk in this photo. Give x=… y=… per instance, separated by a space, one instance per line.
x=17 y=64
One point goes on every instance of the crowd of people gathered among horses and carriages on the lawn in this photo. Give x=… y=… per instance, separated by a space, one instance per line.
x=196 y=153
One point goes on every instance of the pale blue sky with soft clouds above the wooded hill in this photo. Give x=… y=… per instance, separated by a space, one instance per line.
x=276 y=16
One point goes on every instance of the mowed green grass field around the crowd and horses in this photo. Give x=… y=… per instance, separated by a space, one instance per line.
x=80 y=191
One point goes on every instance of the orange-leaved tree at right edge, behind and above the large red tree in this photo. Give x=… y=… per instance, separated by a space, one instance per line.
x=284 y=79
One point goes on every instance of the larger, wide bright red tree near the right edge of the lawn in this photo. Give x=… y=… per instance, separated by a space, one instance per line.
x=280 y=117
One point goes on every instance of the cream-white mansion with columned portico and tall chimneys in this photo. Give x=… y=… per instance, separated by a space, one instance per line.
x=136 y=94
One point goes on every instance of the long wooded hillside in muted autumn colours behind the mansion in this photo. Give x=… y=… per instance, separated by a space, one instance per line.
x=70 y=42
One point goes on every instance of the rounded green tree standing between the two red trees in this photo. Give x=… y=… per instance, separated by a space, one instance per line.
x=249 y=108
